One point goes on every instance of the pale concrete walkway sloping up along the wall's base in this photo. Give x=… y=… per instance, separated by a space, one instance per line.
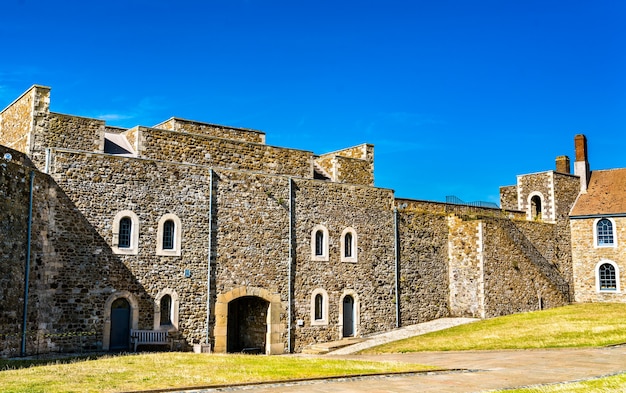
x=402 y=333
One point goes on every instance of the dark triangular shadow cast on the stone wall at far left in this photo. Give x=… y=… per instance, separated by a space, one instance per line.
x=72 y=275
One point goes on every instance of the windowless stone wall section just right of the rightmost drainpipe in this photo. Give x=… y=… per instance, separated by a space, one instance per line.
x=424 y=278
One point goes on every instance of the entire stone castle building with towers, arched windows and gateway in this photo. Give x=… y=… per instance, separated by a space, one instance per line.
x=207 y=232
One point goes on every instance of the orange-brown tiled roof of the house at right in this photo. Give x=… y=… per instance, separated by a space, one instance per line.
x=606 y=194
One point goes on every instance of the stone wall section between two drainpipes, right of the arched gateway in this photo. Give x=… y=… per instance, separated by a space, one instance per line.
x=371 y=279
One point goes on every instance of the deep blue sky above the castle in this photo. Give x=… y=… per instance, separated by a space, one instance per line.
x=458 y=97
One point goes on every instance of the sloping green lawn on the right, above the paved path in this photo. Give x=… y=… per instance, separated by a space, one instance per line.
x=580 y=325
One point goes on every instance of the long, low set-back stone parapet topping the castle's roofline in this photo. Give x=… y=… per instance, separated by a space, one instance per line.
x=214 y=130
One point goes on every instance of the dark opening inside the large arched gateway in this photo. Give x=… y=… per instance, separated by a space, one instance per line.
x=247 y=325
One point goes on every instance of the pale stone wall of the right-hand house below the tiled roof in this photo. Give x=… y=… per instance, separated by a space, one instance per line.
x=586 y=256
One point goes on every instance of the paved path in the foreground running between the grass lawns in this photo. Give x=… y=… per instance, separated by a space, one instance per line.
x=486 y=370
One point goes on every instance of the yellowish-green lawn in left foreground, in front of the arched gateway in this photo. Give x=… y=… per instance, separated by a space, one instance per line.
x=178 y=370
